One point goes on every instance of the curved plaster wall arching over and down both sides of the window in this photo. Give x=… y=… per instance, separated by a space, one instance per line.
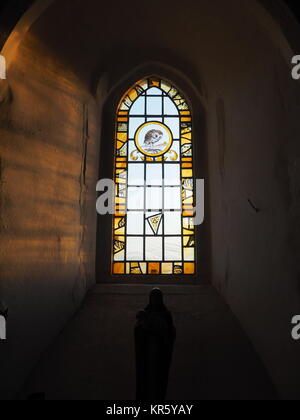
x=238 y=60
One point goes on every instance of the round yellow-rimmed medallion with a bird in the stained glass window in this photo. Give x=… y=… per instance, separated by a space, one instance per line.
x=153 y=139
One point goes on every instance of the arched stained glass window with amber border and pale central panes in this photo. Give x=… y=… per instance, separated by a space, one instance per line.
x=153 y=226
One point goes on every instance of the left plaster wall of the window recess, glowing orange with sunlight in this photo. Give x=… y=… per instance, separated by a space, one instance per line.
x=49 y=159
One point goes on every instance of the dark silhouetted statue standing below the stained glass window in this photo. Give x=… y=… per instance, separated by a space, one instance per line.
x=154 y=341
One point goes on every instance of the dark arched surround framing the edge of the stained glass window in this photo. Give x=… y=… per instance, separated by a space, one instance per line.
x=182 y=83
